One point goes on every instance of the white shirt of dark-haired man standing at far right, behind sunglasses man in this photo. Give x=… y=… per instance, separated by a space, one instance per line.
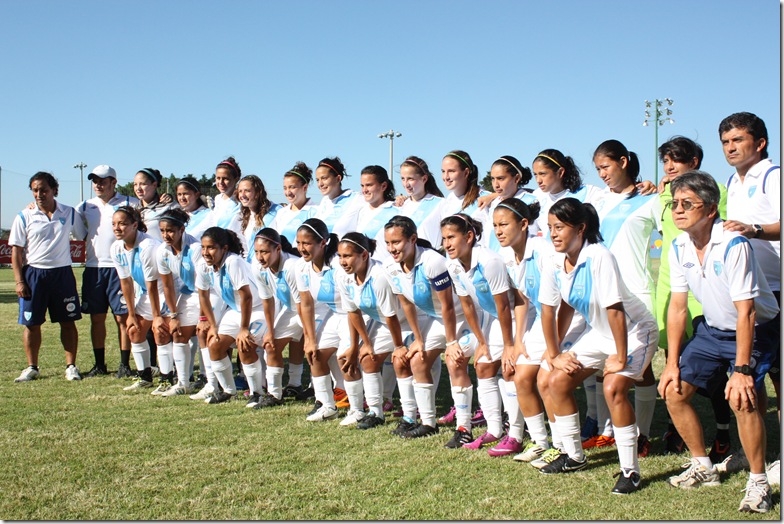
x=757 y=200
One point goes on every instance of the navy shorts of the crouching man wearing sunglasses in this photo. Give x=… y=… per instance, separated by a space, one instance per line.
x=710 y=354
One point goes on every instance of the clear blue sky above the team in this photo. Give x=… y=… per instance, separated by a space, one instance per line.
x=179 y=85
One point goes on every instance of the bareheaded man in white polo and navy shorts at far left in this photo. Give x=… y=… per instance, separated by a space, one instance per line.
x=41 y=259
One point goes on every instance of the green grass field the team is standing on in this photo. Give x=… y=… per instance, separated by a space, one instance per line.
x=91 y=451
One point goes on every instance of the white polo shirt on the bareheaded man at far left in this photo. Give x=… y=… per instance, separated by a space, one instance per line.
x=46 y=241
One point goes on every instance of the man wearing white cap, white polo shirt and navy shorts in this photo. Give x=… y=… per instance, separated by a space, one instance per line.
x=100 y=283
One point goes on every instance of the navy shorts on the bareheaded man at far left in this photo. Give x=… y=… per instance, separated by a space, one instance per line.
x=53 y=290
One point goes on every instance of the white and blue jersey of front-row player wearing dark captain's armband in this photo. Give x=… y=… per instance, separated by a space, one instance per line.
x=420 y=286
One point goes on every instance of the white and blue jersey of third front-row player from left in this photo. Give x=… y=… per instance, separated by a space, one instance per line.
x=234 y=274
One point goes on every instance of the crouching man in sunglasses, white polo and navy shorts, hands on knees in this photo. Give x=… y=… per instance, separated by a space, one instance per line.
x=739 y=332
